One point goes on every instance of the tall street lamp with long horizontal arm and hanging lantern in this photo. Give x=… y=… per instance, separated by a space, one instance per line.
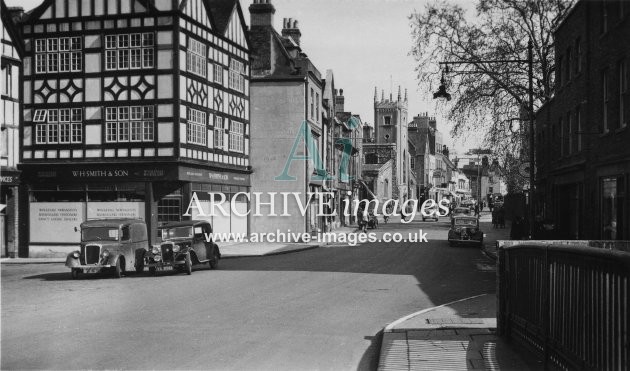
x=441 y=93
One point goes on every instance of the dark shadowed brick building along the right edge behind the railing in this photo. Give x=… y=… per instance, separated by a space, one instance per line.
x=583 y=156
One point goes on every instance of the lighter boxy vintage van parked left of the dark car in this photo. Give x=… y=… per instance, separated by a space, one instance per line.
x=116 y=245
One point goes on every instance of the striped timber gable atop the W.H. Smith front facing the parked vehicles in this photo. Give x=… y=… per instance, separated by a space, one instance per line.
x=53 y=9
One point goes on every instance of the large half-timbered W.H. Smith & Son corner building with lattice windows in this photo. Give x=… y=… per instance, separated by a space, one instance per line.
x=129 y=108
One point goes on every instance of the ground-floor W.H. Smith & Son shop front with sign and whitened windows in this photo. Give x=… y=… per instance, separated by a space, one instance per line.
x=59 y=198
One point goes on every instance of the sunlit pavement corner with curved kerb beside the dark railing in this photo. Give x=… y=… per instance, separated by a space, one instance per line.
x=459 y=335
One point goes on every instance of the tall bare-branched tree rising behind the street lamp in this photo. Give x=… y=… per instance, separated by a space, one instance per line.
x=489 y=98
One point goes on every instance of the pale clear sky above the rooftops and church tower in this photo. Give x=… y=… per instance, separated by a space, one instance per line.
x=366 y=43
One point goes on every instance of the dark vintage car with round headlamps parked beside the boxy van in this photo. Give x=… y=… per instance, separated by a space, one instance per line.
x=183 y=244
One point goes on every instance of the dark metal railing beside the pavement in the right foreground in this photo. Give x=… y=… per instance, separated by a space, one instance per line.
x=570 y=303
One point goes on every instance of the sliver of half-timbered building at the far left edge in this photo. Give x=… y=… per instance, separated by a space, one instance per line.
x=10 y=118
